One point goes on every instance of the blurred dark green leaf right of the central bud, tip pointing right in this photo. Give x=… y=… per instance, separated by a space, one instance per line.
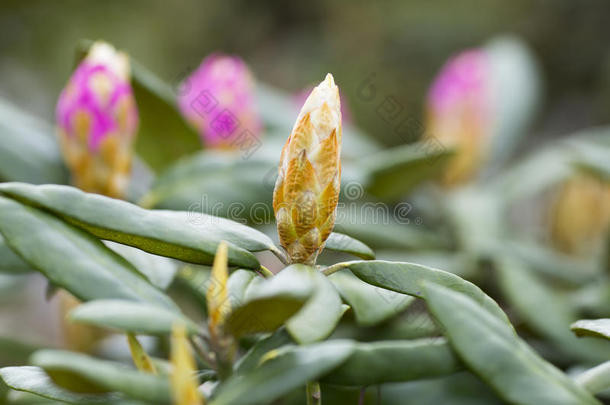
x=395 y=172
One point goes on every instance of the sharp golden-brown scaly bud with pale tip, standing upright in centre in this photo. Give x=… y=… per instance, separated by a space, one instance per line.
x=307 y=188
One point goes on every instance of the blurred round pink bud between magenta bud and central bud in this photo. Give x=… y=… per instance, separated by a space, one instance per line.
x=218 y=100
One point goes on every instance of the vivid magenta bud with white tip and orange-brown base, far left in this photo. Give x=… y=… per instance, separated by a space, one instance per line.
x=97 y=122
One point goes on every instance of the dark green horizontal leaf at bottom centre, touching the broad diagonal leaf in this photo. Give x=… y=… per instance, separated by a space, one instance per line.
x=395 y=361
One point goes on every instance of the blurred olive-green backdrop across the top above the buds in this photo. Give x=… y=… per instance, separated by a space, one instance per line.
x=293 y=44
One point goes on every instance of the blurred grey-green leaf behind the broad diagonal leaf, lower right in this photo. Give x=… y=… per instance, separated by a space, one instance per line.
x=545 y=311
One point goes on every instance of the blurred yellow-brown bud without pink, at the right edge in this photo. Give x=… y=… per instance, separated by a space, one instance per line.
x=581 y=214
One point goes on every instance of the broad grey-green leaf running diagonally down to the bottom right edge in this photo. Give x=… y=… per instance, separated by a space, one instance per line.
x=492 y=349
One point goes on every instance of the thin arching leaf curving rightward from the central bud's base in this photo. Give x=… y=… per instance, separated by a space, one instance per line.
x=408 y=278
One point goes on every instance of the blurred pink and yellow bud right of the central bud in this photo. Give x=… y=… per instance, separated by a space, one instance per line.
x=458 y=115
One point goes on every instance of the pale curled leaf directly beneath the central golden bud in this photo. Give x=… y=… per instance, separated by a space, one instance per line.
x=318 y=318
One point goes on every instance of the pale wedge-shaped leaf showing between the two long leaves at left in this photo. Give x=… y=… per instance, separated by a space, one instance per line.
x=158 y=269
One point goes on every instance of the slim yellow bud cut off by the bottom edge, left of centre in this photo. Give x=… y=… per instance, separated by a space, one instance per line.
x=183 y=377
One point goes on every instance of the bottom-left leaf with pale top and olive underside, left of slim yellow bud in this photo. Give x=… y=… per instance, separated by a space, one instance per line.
x=81 y=373
